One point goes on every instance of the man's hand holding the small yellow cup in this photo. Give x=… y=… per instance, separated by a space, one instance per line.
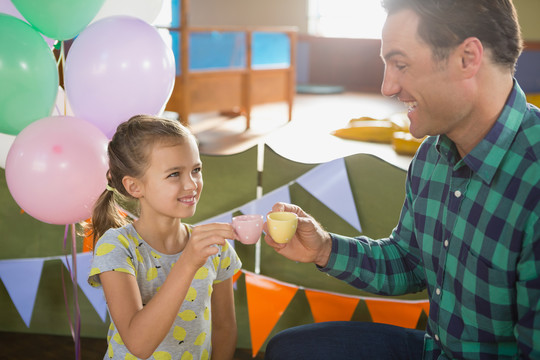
x=310 y=243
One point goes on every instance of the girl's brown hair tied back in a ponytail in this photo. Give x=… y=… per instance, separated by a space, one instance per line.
x=129 y=151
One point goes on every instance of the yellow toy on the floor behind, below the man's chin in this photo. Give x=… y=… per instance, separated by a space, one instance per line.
x=393 y=130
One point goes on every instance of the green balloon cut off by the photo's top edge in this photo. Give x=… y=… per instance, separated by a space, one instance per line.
x=59 y=19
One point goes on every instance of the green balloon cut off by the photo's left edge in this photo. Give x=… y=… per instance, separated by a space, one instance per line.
x=28 y=76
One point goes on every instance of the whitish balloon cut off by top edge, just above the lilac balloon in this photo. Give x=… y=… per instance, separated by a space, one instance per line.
x=147 y=10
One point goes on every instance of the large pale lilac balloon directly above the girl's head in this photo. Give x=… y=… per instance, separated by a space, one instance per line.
x=118 y=67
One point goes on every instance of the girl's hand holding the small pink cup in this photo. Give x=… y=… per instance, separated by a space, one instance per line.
x=203 y=241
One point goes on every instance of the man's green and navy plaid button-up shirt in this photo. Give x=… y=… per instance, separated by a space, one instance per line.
x=469 y=231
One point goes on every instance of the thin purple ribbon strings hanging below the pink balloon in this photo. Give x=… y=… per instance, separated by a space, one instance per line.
x=75 y=330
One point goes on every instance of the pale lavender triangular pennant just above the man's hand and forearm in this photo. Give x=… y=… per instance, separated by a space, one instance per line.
x=329 y=183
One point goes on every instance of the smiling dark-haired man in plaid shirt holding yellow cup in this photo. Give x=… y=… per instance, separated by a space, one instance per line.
x=469 y=230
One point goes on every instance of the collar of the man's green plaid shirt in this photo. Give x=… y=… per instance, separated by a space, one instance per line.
x=486 y=157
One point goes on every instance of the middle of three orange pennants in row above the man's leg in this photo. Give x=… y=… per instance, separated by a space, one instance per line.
x=331 y=307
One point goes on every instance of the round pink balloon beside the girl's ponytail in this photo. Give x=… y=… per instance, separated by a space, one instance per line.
x=56 y=169
